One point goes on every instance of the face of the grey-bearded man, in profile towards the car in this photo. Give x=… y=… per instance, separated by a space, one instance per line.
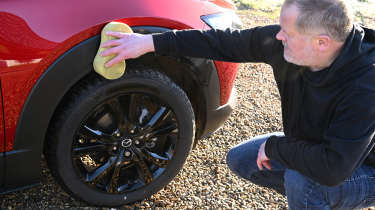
x=297 y=46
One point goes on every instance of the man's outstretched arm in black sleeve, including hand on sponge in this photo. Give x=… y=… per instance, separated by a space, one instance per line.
x=251 y=45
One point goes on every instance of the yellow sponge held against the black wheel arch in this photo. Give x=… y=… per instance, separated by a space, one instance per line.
x=117 y=70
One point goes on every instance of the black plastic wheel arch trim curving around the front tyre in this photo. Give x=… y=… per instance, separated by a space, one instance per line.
x=64 y=73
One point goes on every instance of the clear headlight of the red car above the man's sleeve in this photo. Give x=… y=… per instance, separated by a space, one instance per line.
x=222 y=21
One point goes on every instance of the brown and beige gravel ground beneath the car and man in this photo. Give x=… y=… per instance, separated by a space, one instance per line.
x=205 y=181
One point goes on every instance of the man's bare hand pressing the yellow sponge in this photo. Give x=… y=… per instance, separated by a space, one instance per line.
x=127 y=46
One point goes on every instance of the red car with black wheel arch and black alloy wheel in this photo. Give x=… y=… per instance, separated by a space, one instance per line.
x=107 y=142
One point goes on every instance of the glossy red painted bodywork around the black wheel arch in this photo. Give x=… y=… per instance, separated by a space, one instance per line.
x=36 y=36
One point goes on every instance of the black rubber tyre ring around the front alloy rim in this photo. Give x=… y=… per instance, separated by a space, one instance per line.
x=90 y=99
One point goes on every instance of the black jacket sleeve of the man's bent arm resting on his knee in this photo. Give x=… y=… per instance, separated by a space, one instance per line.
x=346 y=143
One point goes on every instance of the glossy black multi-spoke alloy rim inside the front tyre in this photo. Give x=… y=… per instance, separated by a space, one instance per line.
x=116 y=152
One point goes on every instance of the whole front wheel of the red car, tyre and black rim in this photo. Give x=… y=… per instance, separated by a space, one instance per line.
x=115 y=142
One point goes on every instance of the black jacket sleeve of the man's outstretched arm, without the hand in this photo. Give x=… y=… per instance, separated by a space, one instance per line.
x=250 y=45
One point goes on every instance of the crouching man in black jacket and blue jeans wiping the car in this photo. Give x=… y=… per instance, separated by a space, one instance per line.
x=324 y=67
